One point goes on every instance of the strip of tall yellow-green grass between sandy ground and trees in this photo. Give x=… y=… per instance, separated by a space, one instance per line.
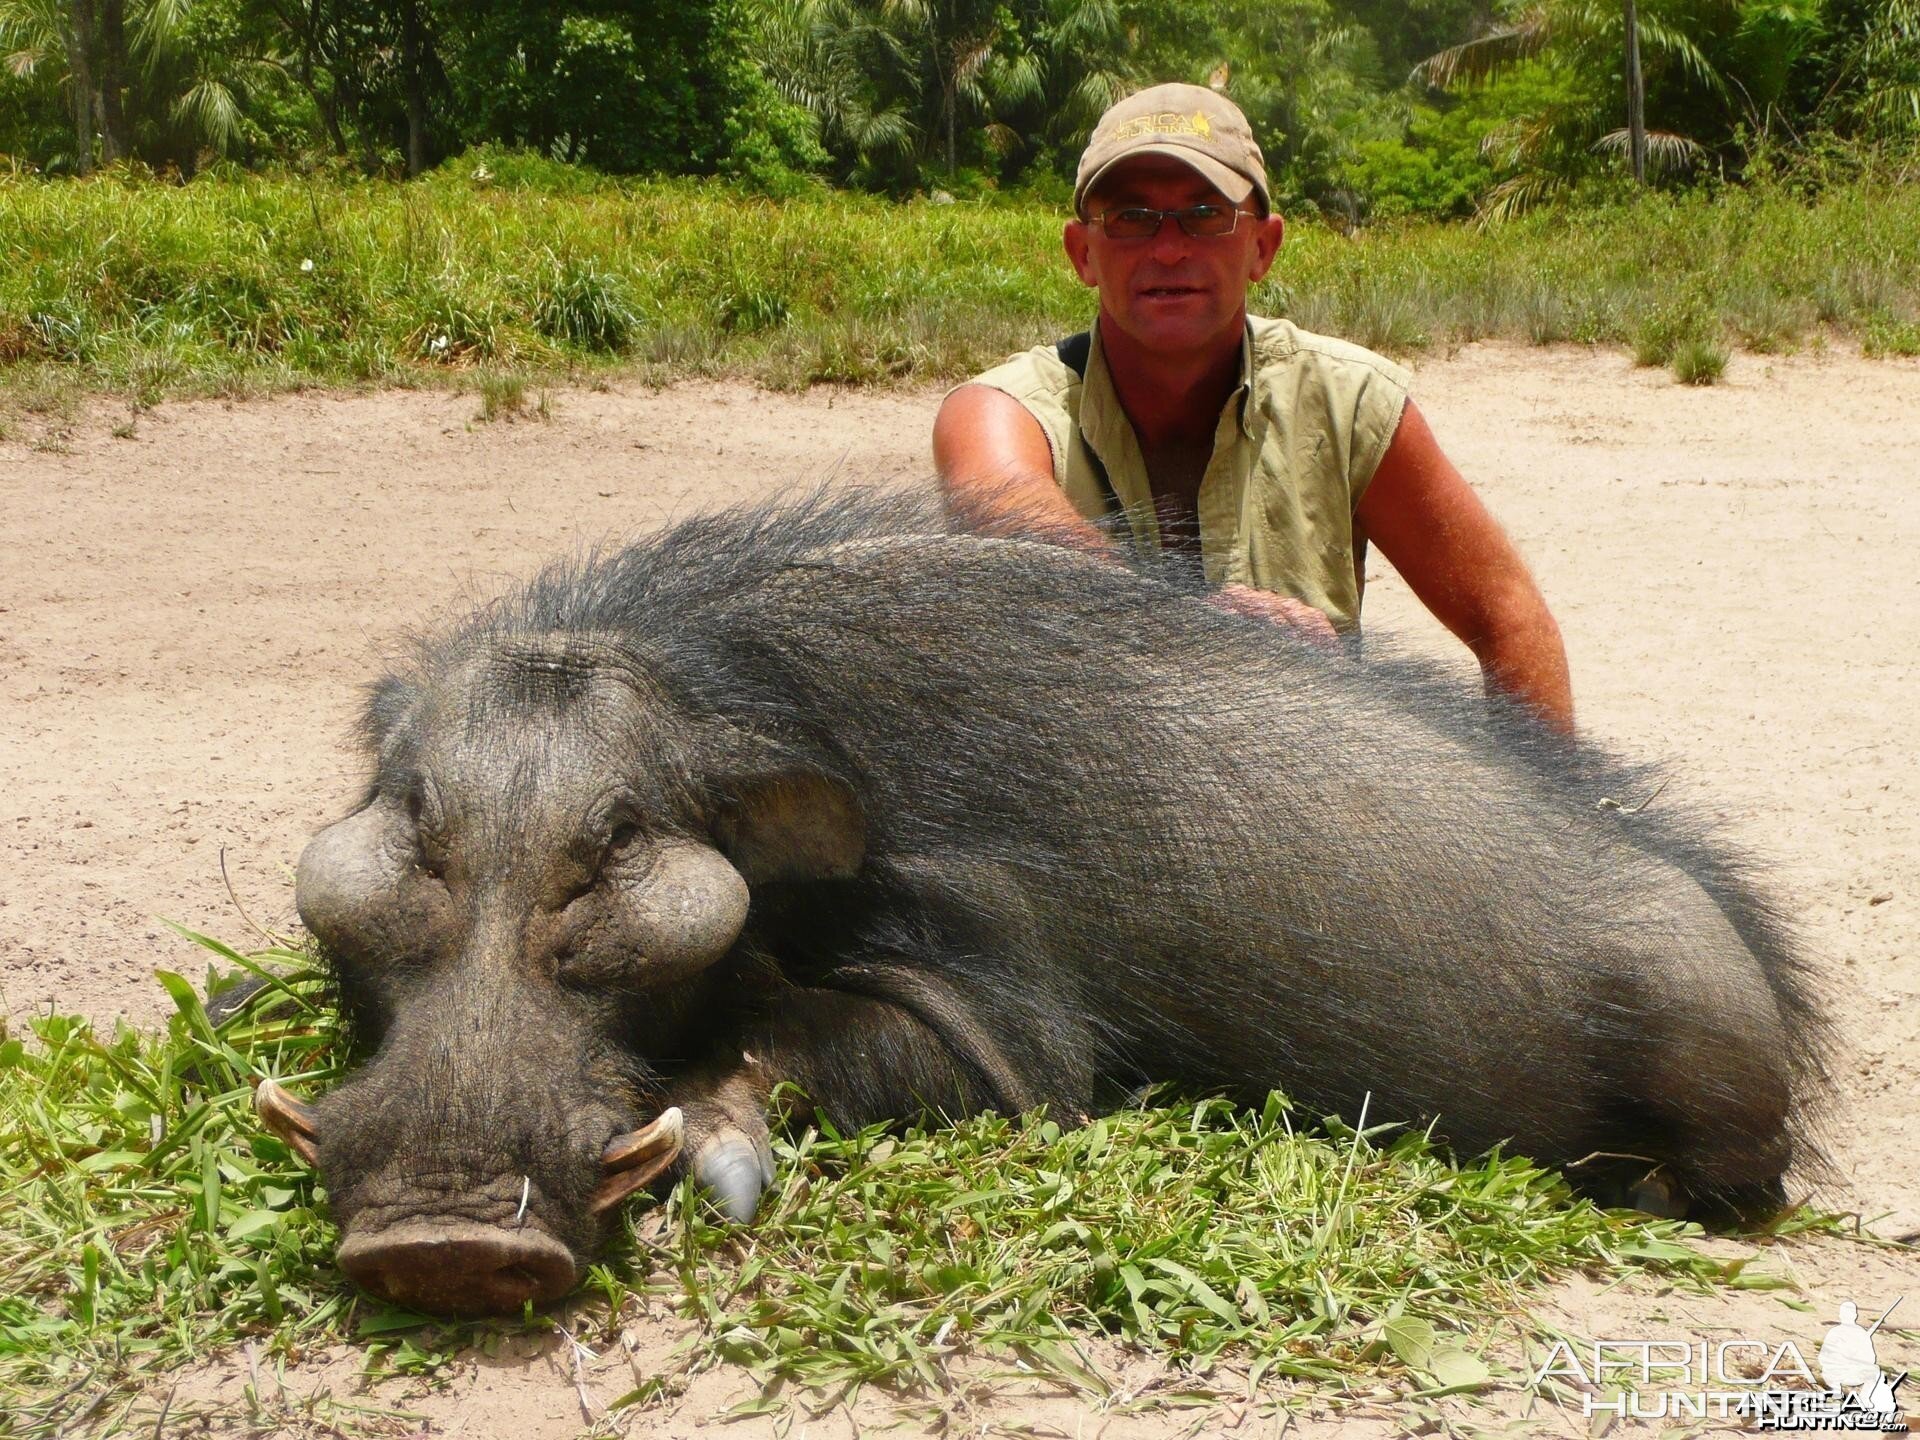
x=251 y=283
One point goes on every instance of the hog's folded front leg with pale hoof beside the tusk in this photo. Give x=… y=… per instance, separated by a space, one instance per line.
x=852 y=1057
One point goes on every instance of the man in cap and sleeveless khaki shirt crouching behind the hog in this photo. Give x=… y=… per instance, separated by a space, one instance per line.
x=1282 y=454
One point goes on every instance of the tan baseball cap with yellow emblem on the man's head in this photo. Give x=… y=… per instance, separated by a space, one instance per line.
x=1186 y=122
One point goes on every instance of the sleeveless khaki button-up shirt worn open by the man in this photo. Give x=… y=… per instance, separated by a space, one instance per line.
x=1293 y=454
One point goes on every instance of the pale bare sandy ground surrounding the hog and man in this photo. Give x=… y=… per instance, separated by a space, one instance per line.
x=187 y=617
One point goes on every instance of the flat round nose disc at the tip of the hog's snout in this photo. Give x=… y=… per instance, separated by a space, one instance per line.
x=460 y=1266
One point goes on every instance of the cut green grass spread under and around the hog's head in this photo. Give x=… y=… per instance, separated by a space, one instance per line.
x=147 y=1220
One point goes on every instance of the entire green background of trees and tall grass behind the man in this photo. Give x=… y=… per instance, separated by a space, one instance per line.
x=863 y=191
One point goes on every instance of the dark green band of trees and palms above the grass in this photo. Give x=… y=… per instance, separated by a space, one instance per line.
x=1366 y=108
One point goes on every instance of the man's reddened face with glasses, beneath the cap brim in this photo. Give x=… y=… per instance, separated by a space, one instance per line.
x=1170 y=293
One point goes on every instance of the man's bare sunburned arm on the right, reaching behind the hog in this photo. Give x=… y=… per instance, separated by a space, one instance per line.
x=1456 y=558
